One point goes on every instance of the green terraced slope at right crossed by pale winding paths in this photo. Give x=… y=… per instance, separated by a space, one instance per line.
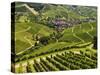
x=80 y=33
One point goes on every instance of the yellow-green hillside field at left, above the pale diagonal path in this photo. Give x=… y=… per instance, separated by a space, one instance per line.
x=26 y=31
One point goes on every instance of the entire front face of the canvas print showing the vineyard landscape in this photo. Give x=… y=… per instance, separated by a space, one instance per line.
x=50 y=37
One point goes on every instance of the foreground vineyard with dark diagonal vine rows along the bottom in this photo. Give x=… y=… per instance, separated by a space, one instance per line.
x=64 y=61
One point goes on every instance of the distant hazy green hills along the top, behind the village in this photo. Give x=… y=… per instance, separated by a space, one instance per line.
x=52 y=11
